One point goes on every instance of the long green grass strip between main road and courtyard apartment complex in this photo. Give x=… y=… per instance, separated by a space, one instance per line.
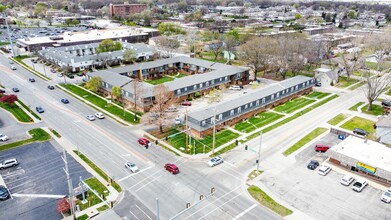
x=101 y=103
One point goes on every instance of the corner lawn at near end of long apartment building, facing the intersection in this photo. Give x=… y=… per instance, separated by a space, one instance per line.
x=222 y=137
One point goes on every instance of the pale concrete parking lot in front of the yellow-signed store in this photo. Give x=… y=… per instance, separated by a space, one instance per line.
x=323 y=197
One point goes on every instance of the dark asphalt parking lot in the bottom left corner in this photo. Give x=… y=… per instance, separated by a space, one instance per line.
x=37 y=182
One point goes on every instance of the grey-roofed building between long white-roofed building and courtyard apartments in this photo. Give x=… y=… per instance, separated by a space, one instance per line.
x=81 y=57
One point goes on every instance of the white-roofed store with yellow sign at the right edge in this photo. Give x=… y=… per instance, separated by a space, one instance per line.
x=363 y=156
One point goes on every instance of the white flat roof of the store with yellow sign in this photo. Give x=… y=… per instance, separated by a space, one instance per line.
x=370 y=152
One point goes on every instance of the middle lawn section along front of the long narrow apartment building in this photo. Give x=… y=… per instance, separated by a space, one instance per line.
x=257 y=121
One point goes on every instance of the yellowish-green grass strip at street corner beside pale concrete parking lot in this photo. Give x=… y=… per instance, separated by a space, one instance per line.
x=267 y=201
